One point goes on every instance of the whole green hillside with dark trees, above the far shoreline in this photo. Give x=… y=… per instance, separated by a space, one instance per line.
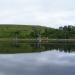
x=30 y=31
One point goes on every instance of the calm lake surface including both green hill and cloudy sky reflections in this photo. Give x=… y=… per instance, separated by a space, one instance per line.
x=37 y=59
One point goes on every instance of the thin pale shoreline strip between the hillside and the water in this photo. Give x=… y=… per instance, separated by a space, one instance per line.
x=38 y=40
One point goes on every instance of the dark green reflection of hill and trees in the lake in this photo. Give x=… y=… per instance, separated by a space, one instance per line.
x=22 y=47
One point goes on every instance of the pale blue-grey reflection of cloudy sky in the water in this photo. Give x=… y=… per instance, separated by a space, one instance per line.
x=42 y=63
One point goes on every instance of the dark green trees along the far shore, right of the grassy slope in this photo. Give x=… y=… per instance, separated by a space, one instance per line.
x=66 y=32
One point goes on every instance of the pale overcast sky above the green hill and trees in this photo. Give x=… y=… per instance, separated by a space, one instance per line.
x=51 y=13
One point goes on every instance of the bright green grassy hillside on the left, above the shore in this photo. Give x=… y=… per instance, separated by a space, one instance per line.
x=24 y=31
